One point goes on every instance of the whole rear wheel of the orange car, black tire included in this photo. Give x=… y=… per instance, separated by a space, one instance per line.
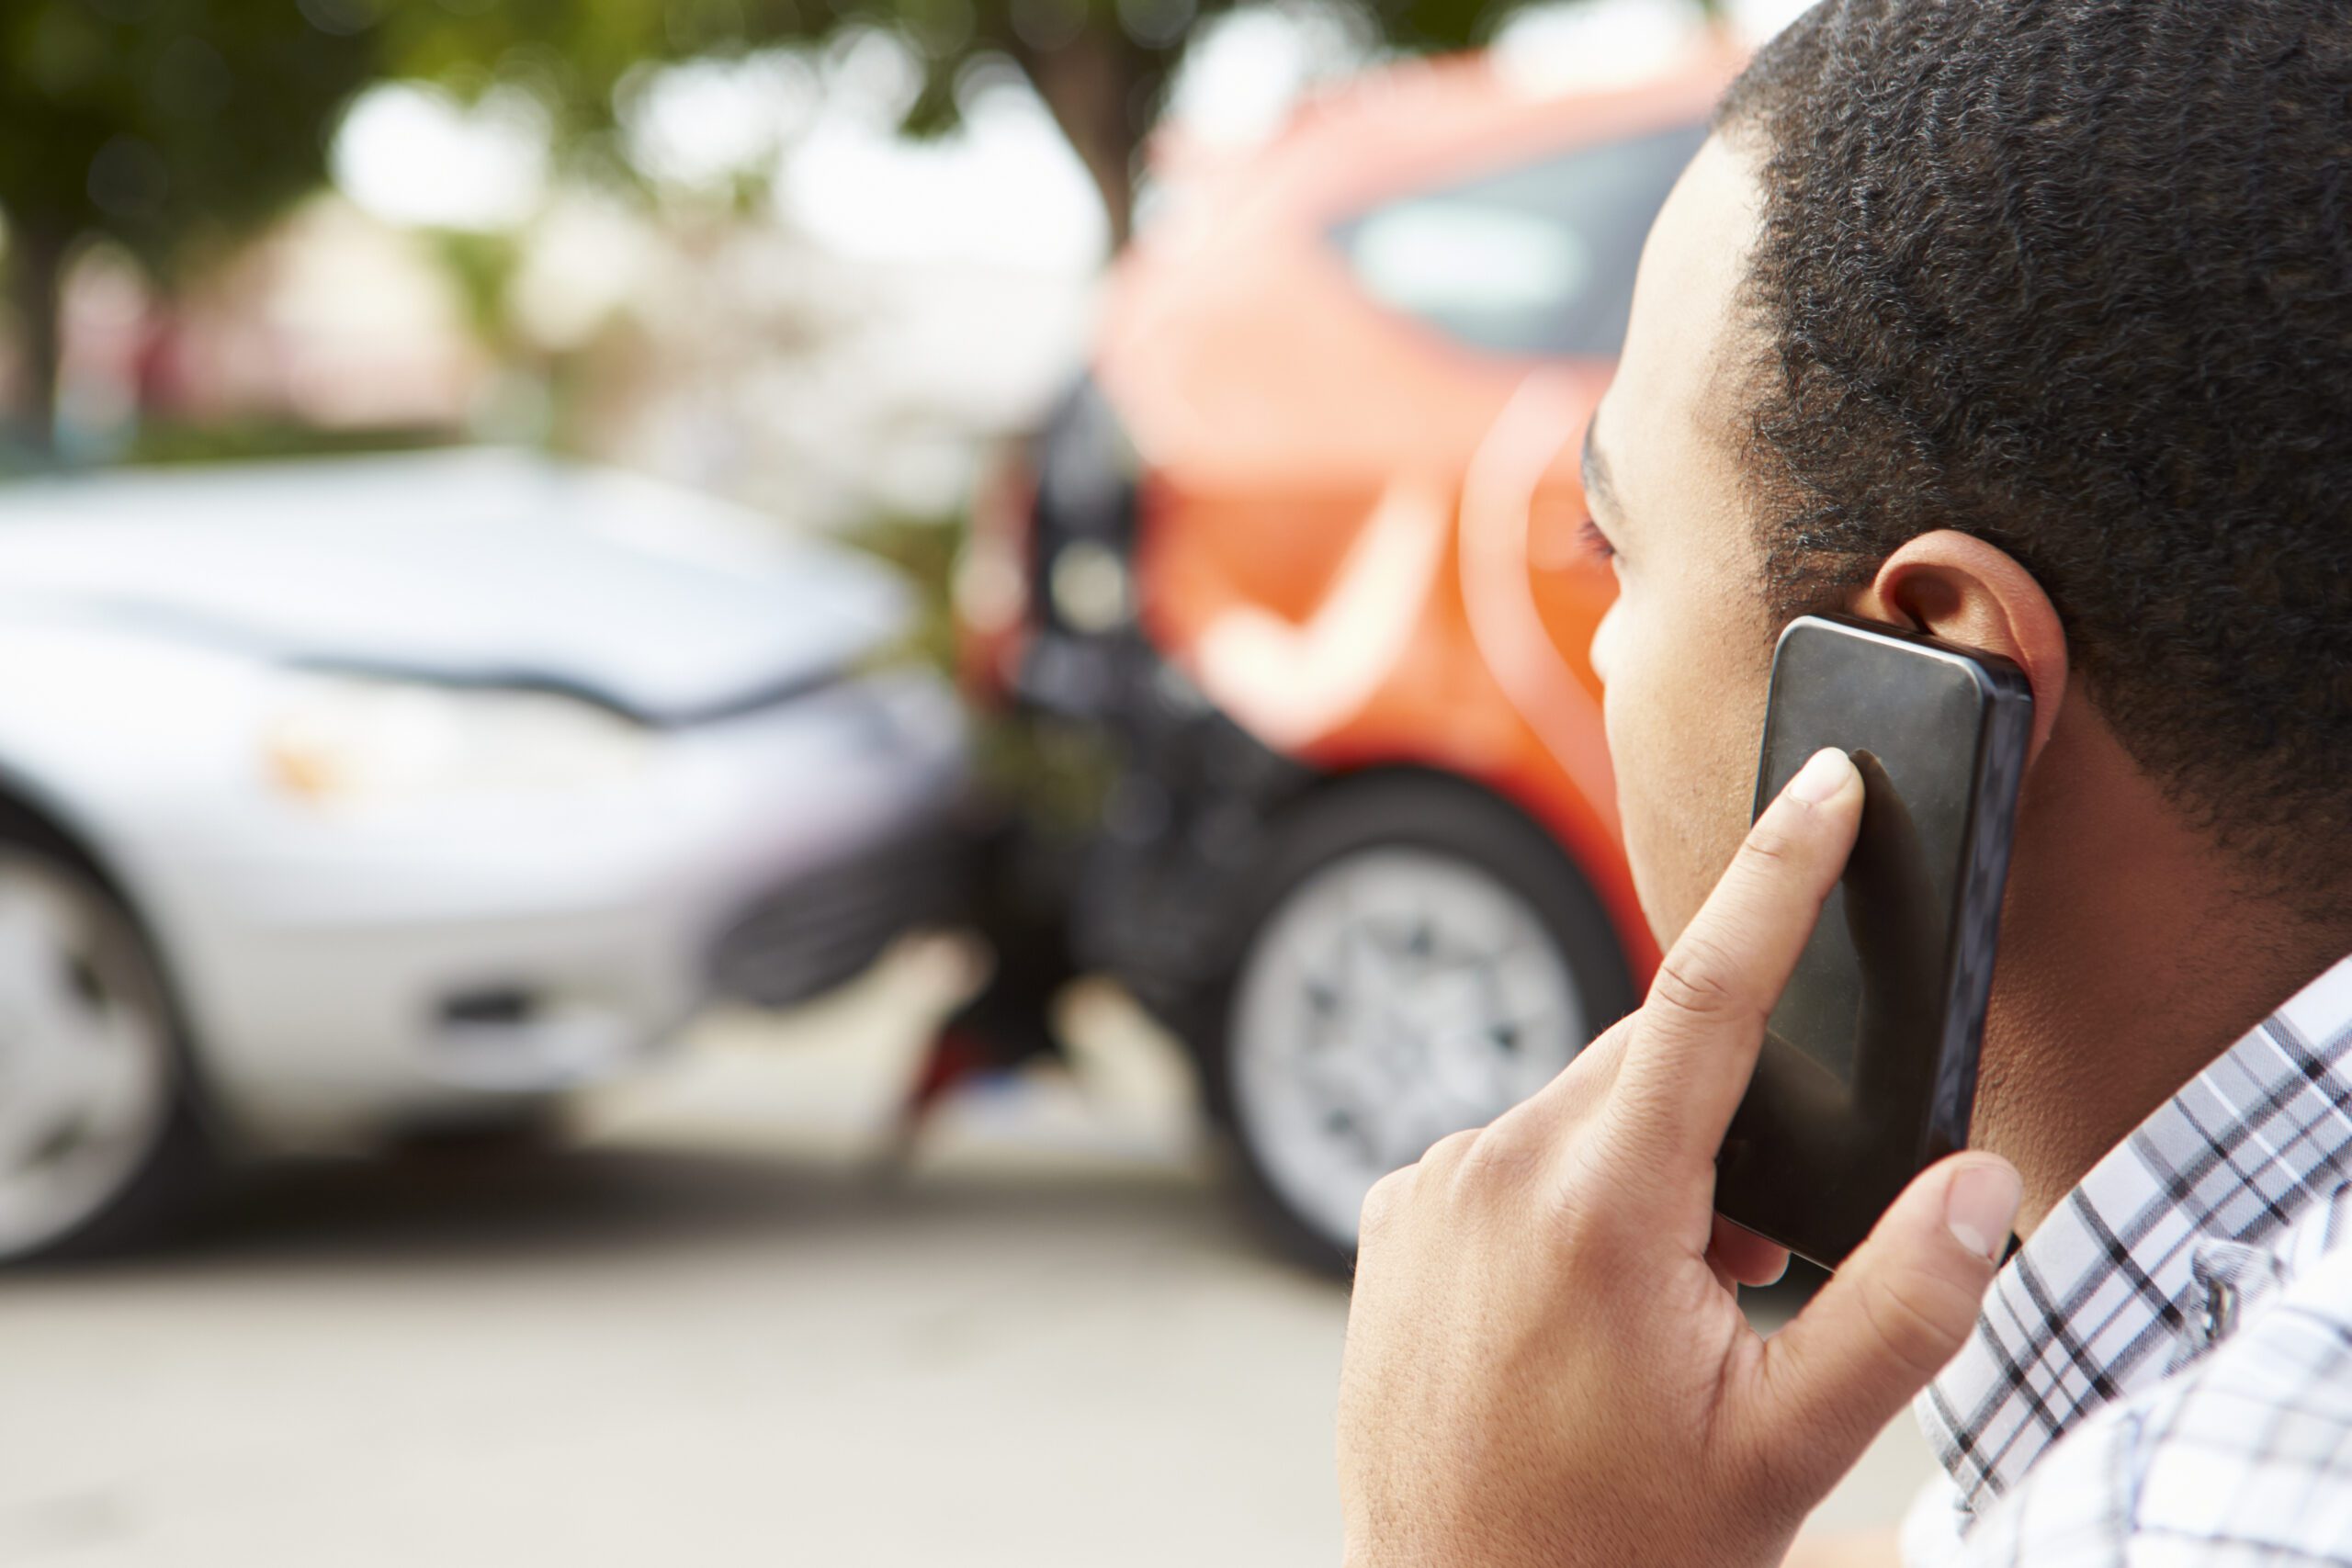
x=1412 y=960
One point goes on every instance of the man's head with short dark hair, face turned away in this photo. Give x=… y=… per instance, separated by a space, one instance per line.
x=2029 y=323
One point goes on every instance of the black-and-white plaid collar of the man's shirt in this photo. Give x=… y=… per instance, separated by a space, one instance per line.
x=2080 y=1311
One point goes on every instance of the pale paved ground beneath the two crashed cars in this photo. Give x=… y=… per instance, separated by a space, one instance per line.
x=726 y=1332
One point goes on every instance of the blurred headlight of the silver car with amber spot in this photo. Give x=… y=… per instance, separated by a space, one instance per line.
x=389 y=742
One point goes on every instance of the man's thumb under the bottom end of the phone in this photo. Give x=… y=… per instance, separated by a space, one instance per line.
x=1890 y=1320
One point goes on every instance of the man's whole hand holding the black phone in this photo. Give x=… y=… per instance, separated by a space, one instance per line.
x=1546 y=1358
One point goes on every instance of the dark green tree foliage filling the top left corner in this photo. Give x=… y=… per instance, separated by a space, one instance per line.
x=166 y=126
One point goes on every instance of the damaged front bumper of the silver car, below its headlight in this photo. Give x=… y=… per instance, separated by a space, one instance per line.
x=359 y=974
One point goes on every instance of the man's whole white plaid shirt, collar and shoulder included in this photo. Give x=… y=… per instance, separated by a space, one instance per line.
x=2184 y=1322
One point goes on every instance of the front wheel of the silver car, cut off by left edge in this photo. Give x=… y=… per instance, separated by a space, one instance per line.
x=98 y=1127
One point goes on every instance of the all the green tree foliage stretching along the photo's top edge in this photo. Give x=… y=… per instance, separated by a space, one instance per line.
x=175 y=126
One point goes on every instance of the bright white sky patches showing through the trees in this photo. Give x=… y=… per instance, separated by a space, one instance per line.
x=415 y=156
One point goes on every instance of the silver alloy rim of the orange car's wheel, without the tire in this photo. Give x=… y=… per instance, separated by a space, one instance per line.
x=1391 y=998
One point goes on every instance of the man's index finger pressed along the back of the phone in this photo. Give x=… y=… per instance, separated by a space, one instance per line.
x=1704 y=1019
